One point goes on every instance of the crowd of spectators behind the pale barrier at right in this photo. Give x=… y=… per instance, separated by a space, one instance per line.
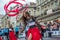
x=51 y=27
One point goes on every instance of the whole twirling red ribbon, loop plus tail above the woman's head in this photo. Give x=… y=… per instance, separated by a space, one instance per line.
x=17 y=10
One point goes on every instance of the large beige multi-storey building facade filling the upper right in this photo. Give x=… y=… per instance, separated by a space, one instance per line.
x=47 y=8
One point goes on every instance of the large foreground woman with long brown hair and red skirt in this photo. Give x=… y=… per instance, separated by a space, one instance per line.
x=33 y=32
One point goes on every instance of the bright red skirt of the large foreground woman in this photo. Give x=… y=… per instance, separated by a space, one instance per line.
x=36 y=35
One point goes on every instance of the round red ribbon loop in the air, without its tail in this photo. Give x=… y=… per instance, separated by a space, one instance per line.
x=16 y=10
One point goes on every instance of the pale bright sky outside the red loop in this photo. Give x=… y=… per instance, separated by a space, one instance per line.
x=3 y=2
